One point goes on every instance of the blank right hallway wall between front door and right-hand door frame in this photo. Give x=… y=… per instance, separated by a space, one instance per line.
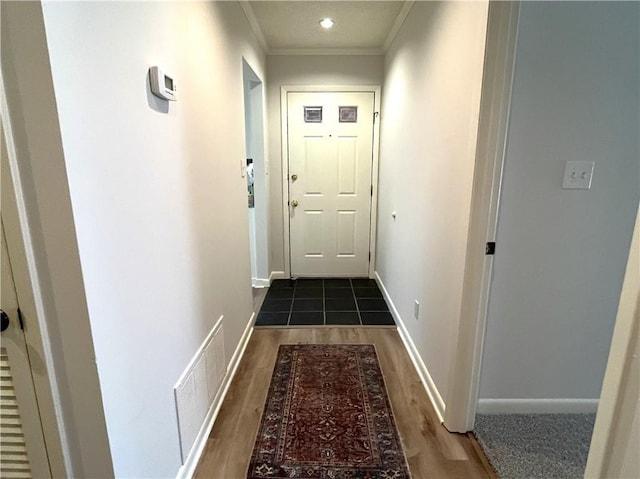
x=430 y=108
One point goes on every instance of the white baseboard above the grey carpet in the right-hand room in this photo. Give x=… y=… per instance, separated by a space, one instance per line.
x=537 y=406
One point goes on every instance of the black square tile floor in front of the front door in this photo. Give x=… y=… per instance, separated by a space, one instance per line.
x=328 y=302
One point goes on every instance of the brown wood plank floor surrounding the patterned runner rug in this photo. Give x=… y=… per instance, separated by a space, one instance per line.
x=432 y=452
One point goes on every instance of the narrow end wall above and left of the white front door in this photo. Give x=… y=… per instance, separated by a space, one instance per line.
x=303 y=70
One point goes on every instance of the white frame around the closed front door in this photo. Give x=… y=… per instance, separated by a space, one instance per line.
x=284 y=91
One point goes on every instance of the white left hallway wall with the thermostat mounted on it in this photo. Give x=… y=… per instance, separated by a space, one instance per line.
x=158 y=199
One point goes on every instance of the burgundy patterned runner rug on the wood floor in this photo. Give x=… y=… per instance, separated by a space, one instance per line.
x=327 y=416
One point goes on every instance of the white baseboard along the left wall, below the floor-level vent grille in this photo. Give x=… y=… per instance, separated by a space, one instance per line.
x=189 y=467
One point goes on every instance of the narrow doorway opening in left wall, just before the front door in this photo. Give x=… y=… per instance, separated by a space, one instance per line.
x=256 y=168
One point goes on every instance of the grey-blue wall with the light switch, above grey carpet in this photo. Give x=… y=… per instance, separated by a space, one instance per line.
x=561 y=254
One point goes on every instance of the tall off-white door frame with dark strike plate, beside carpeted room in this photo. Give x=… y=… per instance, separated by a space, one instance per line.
x=464 y=379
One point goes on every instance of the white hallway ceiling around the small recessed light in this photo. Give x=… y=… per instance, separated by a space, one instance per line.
x=291 y=27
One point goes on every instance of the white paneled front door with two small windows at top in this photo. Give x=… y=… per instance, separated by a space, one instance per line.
x=330 y=141
